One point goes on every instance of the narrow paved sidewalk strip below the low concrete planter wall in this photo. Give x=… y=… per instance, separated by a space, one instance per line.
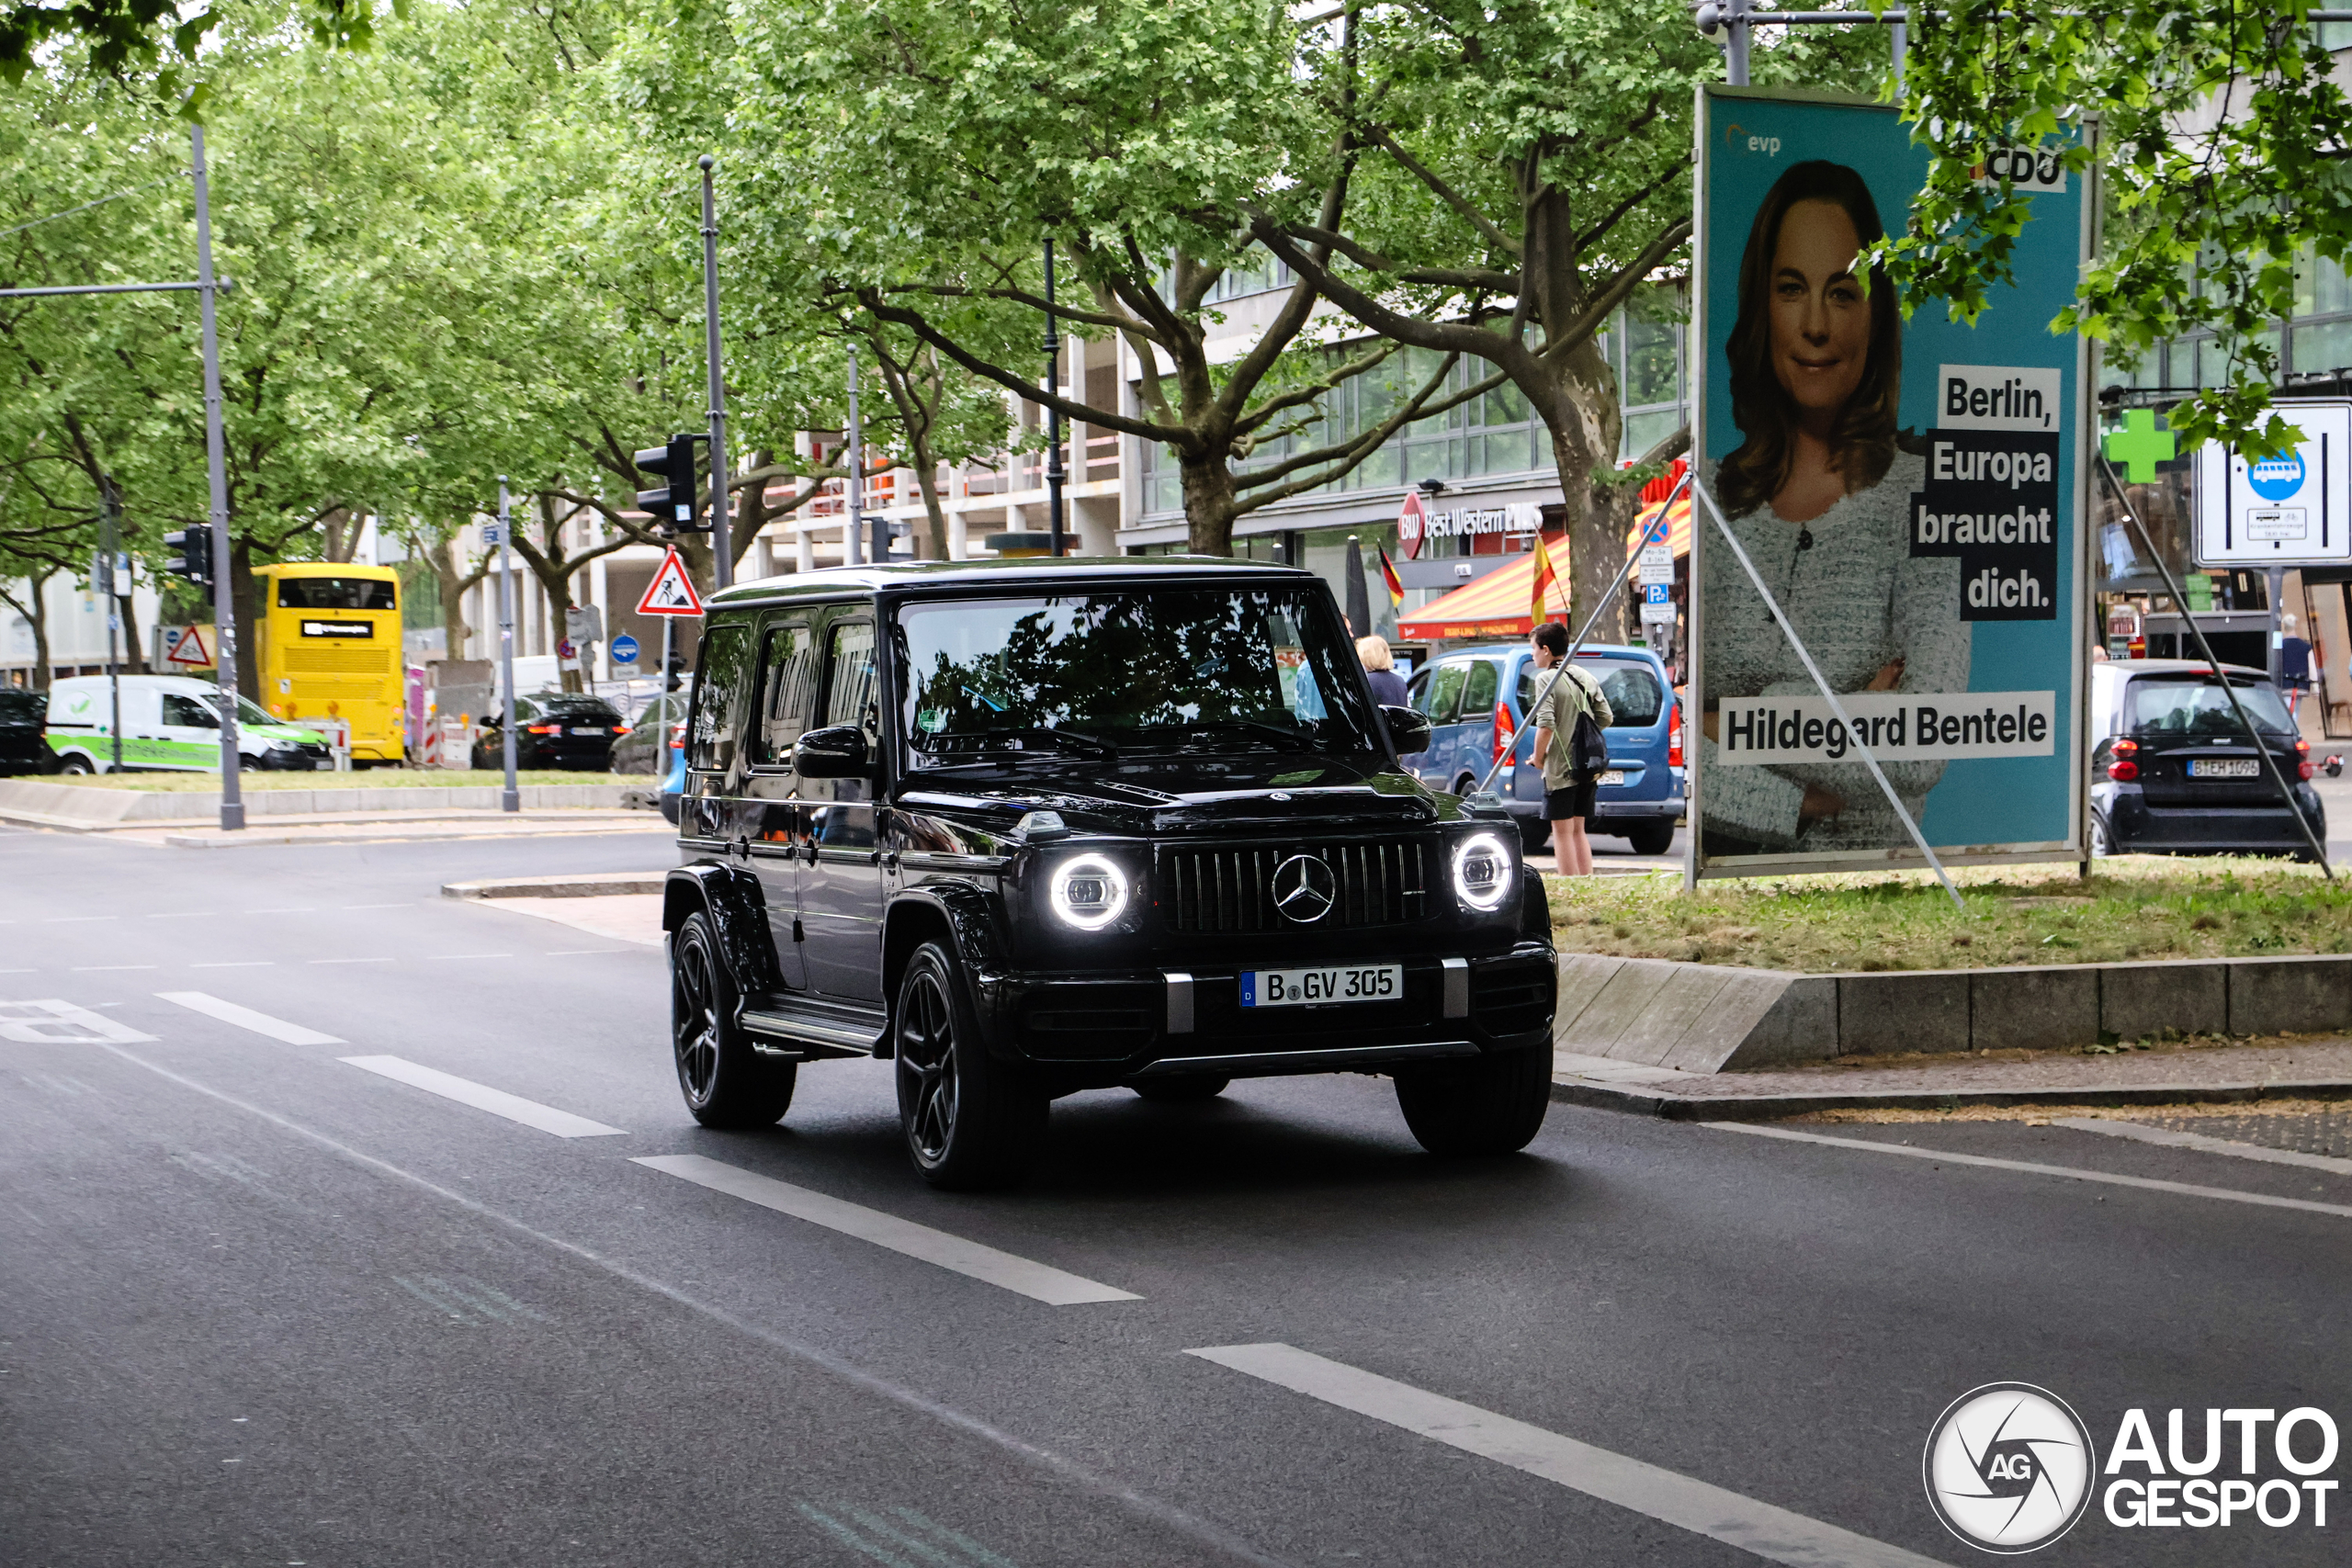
x=2283 y=1066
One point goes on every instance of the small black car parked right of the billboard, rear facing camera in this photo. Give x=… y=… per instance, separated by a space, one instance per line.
x=2174 y=772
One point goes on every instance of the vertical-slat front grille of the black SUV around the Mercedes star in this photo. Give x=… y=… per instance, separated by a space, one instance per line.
x=1234 y=890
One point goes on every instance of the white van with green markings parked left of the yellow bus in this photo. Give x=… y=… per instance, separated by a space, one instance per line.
x=173 y=725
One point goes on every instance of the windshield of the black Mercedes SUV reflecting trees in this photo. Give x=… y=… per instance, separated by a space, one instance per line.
x=1137 y=669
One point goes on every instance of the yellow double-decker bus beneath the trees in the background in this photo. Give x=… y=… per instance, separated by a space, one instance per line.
x=328 y=648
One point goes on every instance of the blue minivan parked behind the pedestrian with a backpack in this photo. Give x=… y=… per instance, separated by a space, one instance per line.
x=1476 y=702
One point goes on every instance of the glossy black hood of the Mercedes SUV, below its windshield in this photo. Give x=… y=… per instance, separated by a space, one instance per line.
x=1177 y=796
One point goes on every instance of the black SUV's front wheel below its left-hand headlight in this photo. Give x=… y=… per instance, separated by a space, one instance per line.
x=970 y=1123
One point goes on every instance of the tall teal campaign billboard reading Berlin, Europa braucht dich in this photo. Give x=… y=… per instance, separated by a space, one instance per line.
x=1911 y=495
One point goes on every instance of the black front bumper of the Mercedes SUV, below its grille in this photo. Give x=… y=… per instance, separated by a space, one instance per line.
x=1111 y=1028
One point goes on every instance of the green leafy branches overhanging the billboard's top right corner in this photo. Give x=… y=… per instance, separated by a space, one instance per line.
x=2221 y=149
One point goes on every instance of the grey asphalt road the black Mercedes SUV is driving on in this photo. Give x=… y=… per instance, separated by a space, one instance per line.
x=265 y=1306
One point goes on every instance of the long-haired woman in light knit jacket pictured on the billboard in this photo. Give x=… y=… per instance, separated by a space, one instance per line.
x=1819 y=495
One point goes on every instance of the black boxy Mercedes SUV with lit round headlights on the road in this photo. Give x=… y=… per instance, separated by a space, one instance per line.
x=1048 y=826
